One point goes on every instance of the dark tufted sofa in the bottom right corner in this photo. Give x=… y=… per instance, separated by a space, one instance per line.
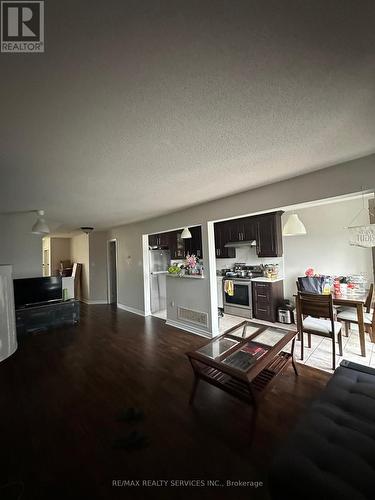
x=331 y=453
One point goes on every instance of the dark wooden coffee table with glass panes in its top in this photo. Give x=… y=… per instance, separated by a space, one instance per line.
x=244 y=360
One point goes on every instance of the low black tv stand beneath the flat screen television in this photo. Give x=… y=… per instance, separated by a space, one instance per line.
x=38 y=318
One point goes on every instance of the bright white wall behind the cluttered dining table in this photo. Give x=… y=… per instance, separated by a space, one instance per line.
x=325 y=248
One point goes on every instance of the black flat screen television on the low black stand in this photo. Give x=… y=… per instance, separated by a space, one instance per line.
x=33 y=291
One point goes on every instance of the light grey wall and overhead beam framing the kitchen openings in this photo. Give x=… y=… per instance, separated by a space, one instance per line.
x=334 y=181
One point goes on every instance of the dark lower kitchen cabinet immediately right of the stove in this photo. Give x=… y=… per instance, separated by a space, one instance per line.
x=267 y=296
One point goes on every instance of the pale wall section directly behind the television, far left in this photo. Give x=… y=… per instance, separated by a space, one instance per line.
x=19 y=247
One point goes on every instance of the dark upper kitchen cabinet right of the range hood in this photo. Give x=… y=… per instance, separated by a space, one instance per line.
x=269 y=235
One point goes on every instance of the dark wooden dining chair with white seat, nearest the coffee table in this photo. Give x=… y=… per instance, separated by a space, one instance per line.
x=311 y=309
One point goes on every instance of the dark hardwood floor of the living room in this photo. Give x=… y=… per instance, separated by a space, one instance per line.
x=61 y=391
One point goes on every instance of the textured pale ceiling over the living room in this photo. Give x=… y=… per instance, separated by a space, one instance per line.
x=139 y=108
